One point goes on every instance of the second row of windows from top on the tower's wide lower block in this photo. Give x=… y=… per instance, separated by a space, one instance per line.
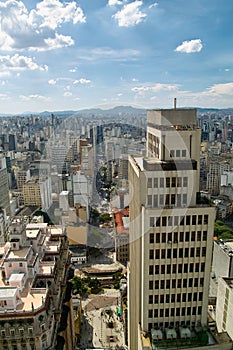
x=175 y=237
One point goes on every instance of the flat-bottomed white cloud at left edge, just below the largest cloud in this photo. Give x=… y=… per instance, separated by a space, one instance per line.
x=19 y=62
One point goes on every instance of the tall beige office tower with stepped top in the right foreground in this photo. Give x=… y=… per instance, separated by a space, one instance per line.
x=170 y=232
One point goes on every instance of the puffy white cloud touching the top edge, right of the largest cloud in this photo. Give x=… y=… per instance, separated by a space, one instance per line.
x=130 y=15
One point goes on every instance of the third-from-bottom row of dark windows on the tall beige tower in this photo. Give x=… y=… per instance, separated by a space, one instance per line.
x=177 y=283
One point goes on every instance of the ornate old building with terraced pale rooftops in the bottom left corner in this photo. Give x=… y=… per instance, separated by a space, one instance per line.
x=34 y=265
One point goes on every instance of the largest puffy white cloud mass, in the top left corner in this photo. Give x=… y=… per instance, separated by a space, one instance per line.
x=36 y=29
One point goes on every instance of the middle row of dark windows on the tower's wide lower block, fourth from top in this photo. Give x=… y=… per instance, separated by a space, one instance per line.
x=176 y=268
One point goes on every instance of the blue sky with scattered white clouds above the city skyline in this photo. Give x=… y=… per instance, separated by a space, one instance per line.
x=60 y=55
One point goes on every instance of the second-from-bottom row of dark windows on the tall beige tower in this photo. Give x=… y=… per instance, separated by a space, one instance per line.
x=175 y=298
